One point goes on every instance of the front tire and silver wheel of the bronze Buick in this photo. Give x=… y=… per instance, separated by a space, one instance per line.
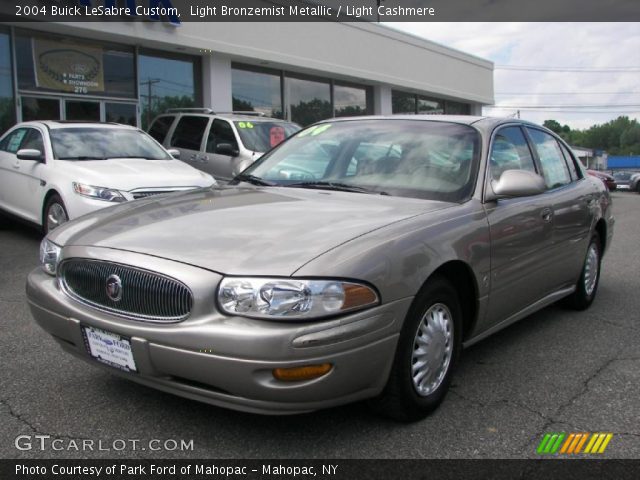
x=426 y=355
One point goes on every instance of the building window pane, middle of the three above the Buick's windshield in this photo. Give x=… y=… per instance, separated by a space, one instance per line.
x=309 y=100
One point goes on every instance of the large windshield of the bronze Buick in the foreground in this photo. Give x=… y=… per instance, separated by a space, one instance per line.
x=411 y=158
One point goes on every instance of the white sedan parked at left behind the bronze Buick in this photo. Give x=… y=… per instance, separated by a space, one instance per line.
x=53 y=171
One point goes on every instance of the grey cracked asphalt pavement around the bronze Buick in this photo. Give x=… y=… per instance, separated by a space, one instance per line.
x=556 y=371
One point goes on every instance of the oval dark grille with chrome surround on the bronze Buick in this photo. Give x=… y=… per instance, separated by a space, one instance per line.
x=145 y=295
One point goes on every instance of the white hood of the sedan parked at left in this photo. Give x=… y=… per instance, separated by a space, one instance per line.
x=131 y=173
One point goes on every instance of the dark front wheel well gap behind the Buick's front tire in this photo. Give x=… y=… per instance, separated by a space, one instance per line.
x=460 y=275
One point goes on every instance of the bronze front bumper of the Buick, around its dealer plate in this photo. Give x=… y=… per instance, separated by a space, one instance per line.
x=228 y=361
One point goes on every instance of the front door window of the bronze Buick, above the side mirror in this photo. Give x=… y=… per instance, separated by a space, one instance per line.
x=510 y=151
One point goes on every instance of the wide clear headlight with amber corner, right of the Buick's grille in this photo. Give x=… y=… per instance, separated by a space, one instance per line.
x=291 y=298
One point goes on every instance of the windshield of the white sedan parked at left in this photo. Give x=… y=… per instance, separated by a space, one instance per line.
x=95 y=143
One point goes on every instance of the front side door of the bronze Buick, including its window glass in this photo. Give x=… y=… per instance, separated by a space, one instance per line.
x=520 y=230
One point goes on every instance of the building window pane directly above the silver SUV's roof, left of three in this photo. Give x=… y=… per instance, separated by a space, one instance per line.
x=257 y=91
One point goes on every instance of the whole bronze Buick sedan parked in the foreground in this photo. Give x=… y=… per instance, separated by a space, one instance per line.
x=351 y=262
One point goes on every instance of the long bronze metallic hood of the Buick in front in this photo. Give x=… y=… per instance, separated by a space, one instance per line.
x=241 y=231
